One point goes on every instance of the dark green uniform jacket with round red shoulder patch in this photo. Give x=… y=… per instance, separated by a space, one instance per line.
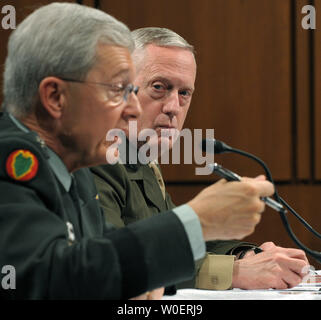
x=53 y=232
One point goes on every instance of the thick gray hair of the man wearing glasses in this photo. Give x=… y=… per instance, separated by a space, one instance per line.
x=59 y=40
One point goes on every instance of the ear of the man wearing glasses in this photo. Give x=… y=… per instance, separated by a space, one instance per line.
x=51 y=93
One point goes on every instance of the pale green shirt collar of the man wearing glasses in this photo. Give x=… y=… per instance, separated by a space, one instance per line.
x=56 y=164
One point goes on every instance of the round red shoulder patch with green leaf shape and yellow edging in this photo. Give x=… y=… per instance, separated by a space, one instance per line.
x=22 y=165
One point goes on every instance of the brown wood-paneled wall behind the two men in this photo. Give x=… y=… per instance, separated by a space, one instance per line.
x=258 y=85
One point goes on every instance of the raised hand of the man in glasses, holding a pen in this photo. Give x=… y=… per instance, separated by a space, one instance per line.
x=231 y=210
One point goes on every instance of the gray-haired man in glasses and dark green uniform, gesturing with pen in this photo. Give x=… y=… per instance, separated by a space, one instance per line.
x=68 y=81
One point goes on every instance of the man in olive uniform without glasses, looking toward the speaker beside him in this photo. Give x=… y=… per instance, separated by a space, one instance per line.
x=166 y=72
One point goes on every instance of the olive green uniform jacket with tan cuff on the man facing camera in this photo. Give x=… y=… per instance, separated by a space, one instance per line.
x=129 y=192
